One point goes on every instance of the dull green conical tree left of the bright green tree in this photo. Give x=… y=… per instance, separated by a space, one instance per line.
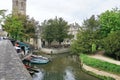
x=87 y=36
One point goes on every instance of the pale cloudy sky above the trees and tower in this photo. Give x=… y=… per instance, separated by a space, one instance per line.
x=70 y=10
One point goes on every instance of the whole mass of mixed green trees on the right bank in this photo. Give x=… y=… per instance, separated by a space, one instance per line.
x=100 y=33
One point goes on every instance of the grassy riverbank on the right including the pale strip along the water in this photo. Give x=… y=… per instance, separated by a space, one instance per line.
x=100 y=67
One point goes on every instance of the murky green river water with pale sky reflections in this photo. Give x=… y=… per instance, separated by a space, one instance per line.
x=62 y=67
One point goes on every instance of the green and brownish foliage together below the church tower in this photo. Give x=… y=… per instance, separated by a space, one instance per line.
x=20 y=26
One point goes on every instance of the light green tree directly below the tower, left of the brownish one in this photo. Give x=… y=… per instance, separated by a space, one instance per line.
x=13 y=26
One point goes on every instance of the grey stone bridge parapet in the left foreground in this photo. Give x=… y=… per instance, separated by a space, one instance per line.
x=11 y=66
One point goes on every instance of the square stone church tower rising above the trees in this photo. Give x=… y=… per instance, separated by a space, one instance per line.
x=19 y=7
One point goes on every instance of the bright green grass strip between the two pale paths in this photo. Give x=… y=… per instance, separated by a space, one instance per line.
x=99 y=64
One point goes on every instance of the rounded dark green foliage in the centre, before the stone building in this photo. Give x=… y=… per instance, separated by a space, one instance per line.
x=55 y=29
